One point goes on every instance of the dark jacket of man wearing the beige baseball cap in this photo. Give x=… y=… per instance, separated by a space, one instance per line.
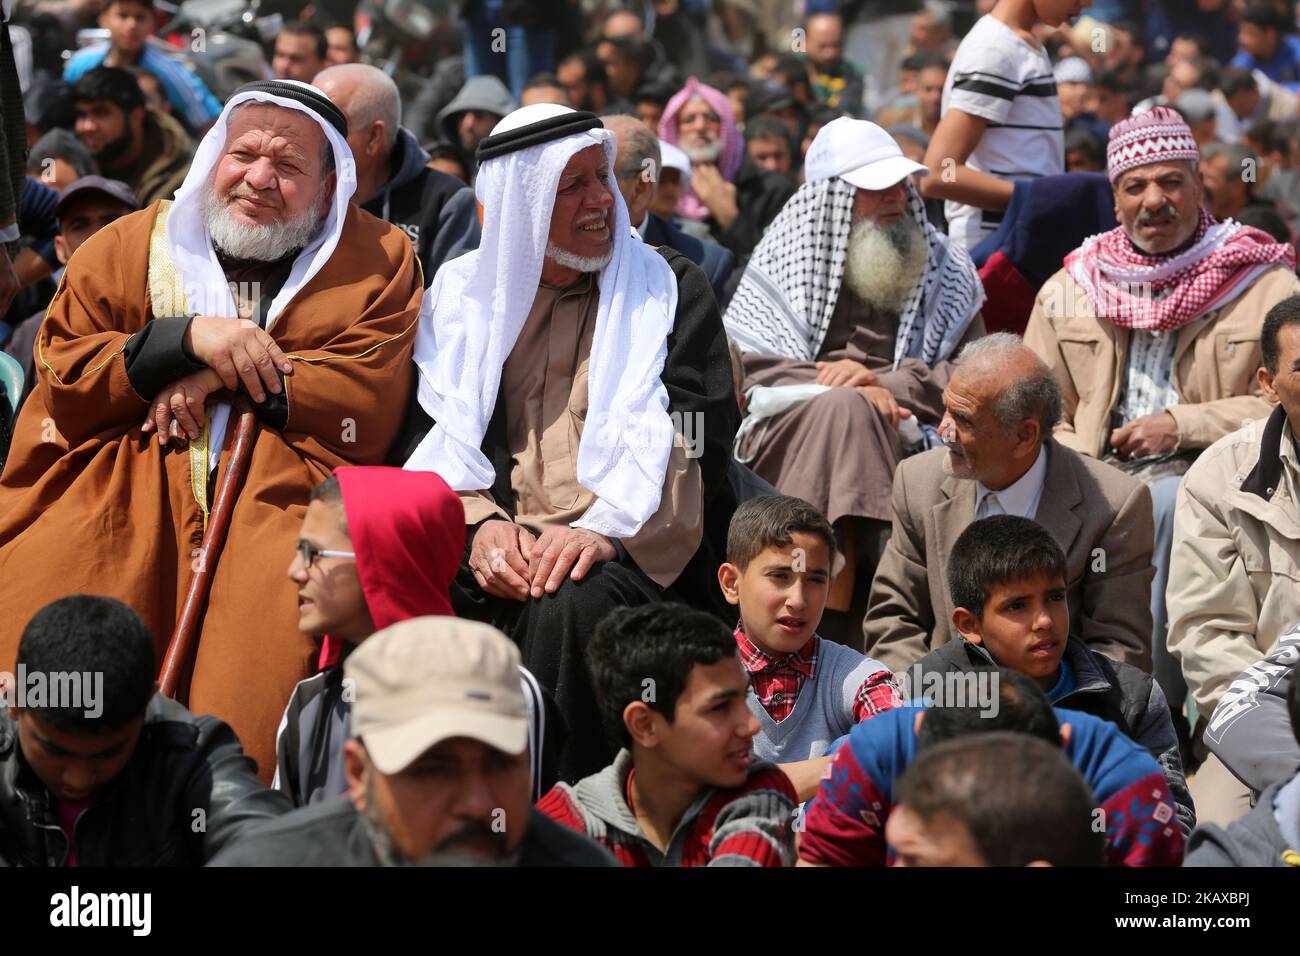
x=333 y=834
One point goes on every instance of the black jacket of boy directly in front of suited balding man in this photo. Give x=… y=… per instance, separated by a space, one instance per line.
x=1119 y=693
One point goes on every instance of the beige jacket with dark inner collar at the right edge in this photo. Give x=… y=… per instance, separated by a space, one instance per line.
x=1234 y=577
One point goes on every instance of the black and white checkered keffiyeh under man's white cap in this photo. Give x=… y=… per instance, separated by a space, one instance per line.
x=788 y=293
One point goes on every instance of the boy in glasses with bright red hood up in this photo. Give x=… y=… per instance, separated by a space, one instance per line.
x=378 y=546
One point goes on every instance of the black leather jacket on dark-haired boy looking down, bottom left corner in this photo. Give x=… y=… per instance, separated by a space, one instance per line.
x=187 y=794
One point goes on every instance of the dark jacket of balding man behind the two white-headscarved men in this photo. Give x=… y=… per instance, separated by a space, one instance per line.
x=439 y=213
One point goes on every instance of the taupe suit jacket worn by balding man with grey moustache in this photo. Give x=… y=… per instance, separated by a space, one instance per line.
x=1099 y=516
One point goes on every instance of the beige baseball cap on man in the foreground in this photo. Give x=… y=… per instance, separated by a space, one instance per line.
x=430 y=680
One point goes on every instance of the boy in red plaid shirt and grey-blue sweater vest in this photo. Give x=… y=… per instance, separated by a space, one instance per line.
x=805 y=691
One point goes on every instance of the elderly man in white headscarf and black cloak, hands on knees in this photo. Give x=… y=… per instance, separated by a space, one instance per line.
x=582 y=404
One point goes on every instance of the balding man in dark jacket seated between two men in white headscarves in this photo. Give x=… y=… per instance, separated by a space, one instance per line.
x=436 y=211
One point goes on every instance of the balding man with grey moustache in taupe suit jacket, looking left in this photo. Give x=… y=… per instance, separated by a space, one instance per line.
x=999 y=457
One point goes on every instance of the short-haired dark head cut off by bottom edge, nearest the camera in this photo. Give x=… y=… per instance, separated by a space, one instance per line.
x=1043 y=814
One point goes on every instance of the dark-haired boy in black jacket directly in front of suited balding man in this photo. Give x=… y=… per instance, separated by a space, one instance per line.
x=1007 y=578
